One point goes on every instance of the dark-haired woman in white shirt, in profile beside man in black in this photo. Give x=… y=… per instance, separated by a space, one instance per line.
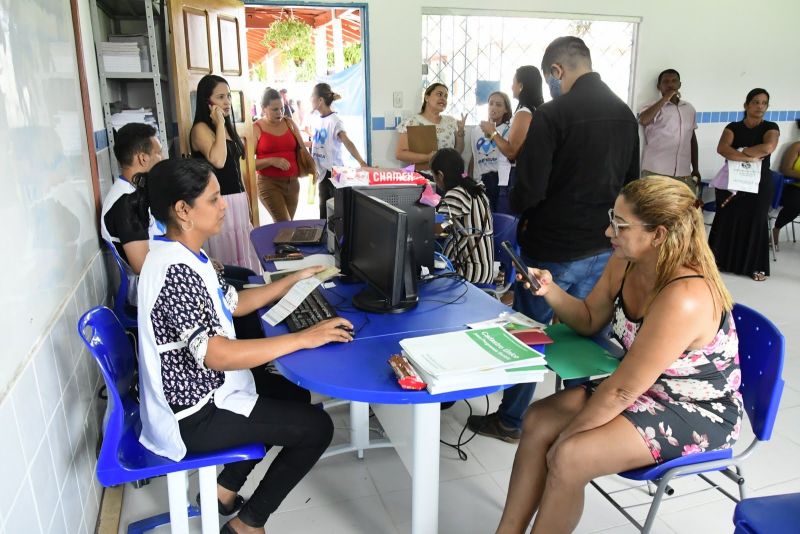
x=527 y=89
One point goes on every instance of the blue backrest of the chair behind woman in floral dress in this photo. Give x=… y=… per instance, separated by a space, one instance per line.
x=761 y=350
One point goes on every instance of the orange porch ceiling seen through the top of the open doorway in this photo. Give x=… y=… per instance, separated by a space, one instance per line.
x=259 y=18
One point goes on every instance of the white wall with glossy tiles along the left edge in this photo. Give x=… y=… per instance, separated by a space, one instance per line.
x=52 y=272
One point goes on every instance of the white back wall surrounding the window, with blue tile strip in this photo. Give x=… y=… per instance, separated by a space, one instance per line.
x=721 y=48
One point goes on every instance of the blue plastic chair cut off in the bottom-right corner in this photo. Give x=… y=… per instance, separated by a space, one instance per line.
x=766 y=515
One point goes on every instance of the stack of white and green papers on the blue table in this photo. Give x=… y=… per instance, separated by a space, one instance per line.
x=472 y=359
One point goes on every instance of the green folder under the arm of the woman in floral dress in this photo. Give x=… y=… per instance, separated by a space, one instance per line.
x=572 y=355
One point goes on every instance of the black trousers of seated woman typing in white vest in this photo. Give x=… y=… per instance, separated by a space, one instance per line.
x=282 y=416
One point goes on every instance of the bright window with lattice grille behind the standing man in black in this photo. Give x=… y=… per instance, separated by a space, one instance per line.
x=475 y=55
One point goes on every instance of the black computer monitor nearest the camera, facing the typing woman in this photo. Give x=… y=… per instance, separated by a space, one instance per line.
x=381 y=254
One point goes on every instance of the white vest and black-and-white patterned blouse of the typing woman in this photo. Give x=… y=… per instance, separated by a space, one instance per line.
x=183 y=303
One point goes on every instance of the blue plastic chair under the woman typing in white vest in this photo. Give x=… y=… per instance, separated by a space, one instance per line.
x=122 y=458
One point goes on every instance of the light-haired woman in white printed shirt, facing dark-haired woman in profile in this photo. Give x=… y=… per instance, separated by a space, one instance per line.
x=485 y=155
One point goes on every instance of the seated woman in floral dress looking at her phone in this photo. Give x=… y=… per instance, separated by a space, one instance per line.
x=675 y=392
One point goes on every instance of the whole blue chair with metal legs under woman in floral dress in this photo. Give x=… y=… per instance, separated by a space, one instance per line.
x=761 y=350
